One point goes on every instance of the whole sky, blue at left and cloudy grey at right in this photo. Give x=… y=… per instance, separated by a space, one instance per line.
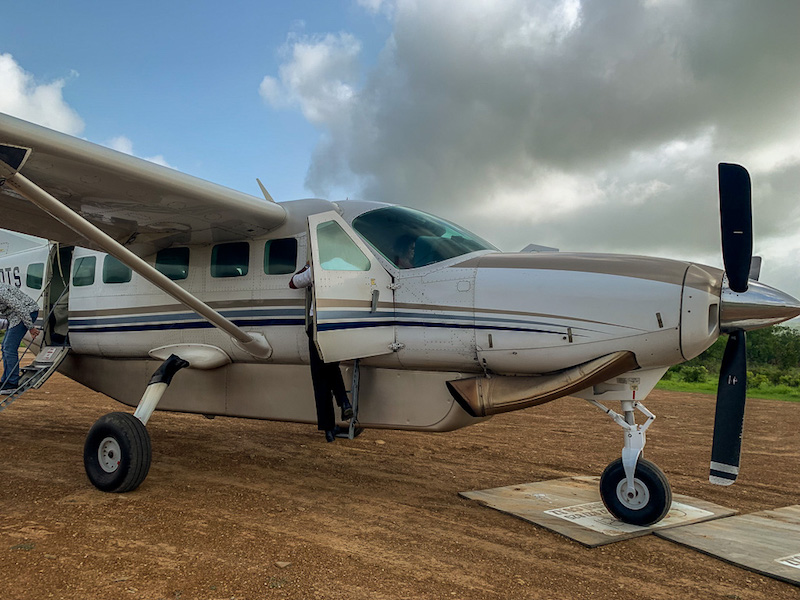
x=583 y=125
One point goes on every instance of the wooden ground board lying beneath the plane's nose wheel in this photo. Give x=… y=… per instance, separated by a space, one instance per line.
x=572 y=507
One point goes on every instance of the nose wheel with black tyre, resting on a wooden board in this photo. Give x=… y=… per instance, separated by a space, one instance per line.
x=652 y=494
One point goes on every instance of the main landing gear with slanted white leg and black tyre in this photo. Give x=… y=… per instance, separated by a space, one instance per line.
x=117 y=452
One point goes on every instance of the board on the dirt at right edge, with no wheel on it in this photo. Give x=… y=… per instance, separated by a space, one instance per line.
x=767 y=542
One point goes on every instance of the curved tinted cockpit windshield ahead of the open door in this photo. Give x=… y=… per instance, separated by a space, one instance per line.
x=410 y=238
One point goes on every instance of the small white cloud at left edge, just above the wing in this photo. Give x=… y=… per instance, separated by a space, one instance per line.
x=43 y=103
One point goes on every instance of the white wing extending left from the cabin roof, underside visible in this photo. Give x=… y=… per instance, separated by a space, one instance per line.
x=140 y=204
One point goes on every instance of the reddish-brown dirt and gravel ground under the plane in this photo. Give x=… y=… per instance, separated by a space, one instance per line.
x=228 y=502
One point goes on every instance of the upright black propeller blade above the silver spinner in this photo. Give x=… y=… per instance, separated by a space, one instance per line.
x=736 y=219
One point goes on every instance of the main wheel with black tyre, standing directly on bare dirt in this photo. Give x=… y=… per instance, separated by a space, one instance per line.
x=117 y=453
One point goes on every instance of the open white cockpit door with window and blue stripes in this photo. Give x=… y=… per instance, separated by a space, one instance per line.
x=353 y=297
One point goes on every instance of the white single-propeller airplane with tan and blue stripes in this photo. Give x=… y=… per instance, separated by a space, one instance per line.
x=165 y=291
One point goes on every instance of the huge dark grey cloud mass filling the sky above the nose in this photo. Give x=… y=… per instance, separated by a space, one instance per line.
x=582 y=125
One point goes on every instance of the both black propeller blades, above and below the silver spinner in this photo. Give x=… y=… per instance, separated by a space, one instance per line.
x=736 y=220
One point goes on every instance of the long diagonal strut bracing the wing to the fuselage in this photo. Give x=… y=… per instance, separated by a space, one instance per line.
x=256 y=345
